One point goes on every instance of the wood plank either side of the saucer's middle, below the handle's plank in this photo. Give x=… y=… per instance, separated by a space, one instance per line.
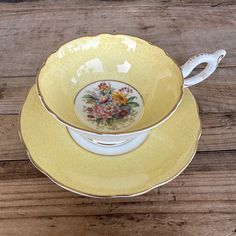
x=219 y=133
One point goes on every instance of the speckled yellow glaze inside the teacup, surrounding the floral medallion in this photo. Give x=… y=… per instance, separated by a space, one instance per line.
x=124 y=58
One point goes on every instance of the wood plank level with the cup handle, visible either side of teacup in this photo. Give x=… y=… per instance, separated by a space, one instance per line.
x=216 y=94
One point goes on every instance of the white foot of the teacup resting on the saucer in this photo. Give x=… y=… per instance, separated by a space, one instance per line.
x=107 y=148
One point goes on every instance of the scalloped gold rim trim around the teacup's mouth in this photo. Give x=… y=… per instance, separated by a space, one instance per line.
x=55 y=115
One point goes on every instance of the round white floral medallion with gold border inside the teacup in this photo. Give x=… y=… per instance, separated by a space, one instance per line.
x=109 y=106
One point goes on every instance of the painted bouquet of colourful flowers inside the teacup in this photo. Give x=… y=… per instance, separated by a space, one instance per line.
x=110 y=107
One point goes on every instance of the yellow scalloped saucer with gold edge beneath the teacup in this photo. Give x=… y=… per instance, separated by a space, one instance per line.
x=164 y=155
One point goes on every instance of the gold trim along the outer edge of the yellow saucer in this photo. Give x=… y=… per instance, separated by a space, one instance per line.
x=107 y=196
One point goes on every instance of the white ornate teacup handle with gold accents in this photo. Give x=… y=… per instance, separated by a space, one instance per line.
x=212 y=61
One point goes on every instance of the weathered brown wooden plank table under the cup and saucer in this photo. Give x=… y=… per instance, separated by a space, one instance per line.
x=202 y=200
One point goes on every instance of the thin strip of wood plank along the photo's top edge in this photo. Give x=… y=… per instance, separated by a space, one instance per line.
x=57 y=4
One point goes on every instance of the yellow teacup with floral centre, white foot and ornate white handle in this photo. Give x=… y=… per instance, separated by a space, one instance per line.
x=110 y=91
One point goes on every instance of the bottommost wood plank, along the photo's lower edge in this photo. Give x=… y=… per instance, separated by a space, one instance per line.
x=123 y=224
